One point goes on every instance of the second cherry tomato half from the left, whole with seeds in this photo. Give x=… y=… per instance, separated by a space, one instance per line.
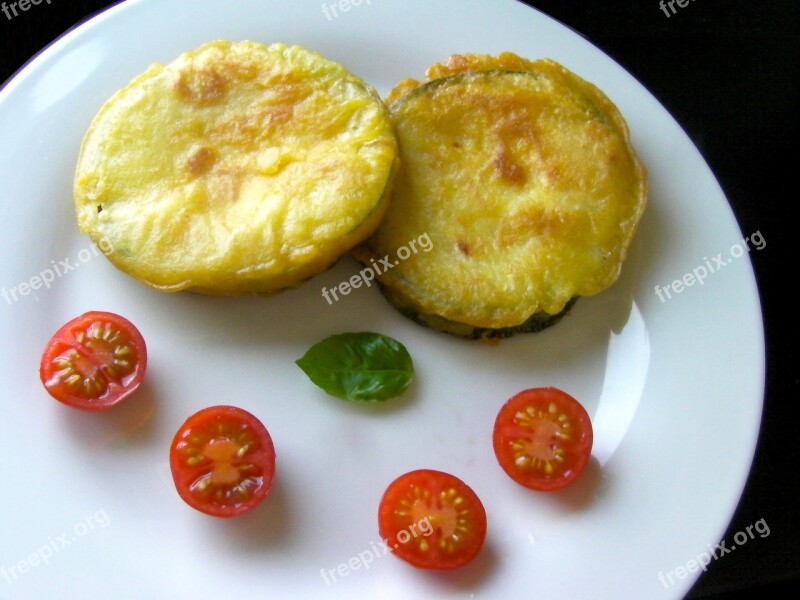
x=222 y=461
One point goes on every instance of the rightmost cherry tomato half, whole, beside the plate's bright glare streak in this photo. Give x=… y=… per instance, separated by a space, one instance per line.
x=543 y=438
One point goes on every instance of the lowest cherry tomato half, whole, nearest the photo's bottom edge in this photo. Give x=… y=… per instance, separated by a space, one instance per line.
x=432 y=520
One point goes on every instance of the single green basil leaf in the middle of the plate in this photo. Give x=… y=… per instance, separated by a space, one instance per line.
x=360 y=366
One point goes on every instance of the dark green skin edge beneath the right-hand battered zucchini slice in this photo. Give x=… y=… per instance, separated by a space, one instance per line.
x=535 y=323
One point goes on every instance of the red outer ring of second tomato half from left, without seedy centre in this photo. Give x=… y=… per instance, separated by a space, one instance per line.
x=183 y=477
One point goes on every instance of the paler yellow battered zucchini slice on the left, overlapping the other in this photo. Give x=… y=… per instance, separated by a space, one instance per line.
x=238 y=168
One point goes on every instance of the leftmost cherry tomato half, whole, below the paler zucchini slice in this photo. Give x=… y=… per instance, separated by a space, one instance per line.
x=94 y=362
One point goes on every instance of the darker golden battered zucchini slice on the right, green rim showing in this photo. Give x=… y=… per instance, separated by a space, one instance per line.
x=523 y=177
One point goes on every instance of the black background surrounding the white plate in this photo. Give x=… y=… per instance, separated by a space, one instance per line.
x=725 y=70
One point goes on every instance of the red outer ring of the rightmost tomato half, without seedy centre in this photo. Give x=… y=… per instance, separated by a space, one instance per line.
x=578 y=451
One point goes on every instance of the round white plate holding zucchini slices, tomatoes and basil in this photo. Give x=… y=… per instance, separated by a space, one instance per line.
x=675 y=388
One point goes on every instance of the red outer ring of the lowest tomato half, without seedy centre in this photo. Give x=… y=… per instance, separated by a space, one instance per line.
x=390 y=524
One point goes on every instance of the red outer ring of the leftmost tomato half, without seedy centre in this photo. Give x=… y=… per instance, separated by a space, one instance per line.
x=63 y=339
